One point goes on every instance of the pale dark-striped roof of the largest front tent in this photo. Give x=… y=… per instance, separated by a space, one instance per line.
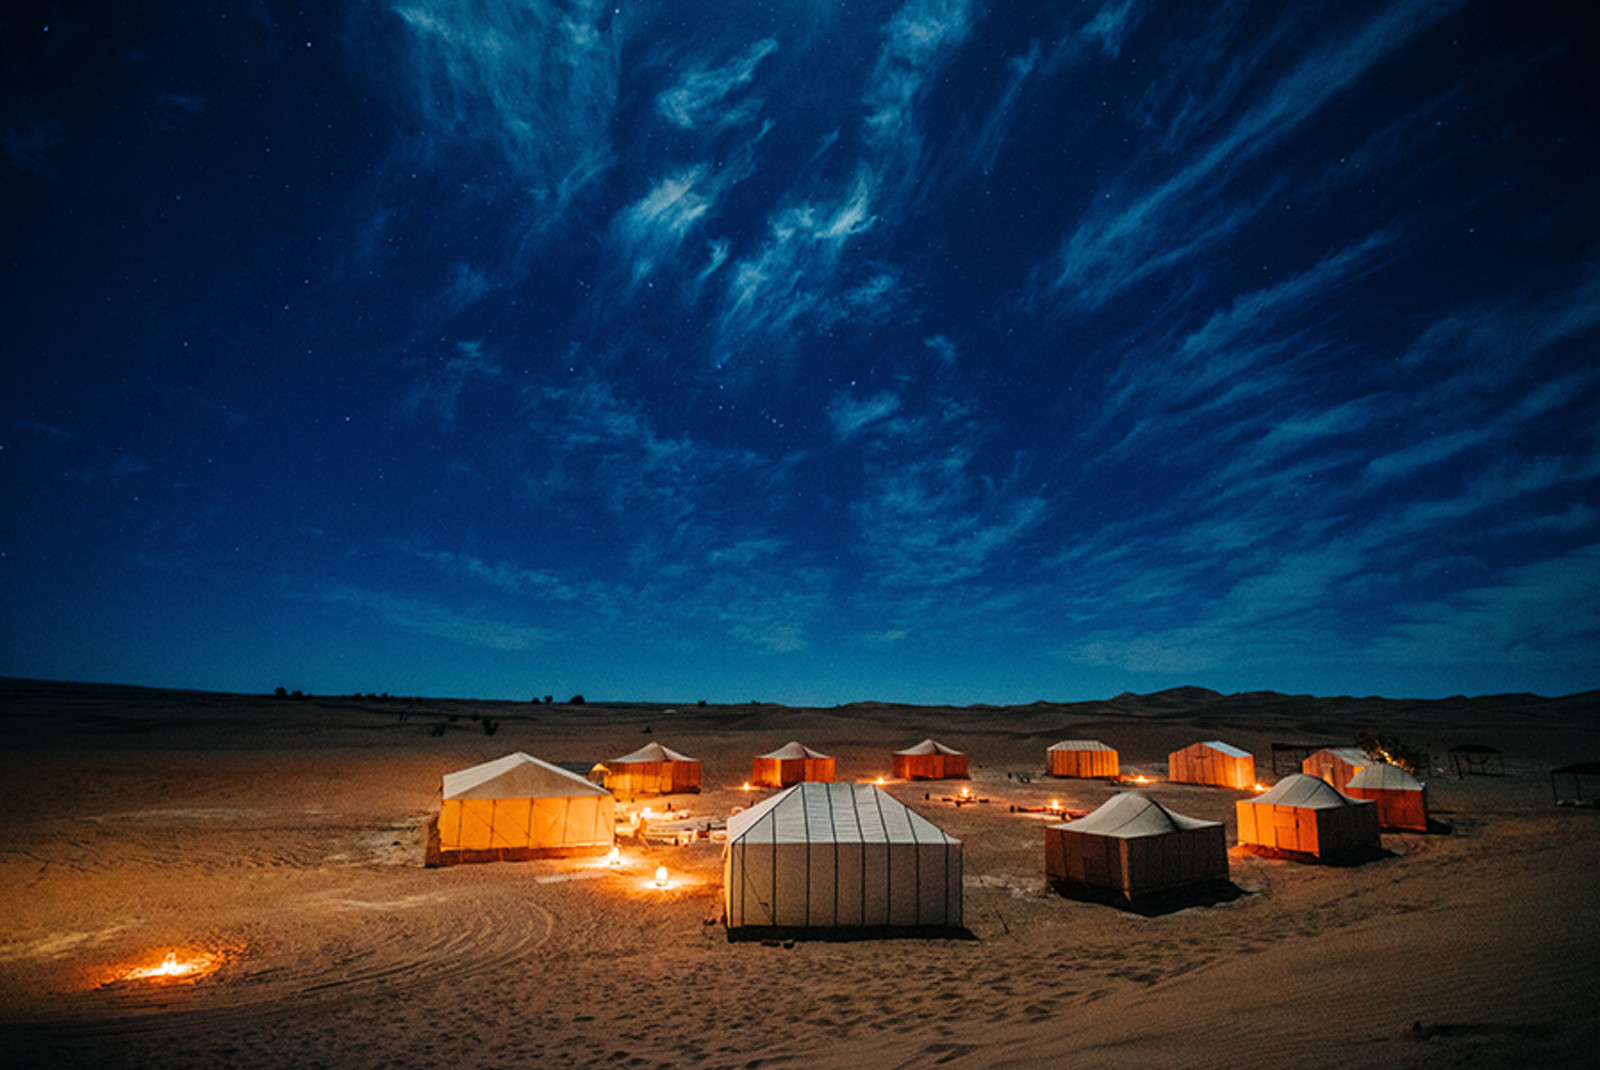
x=834 y=813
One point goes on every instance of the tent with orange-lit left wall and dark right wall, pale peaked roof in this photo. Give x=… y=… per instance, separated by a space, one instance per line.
x=1308 y=815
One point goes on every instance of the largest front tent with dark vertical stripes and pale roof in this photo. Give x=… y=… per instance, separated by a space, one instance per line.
x=839 y=856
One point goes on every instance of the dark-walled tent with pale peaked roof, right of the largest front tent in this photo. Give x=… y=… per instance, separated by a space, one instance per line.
x=1135 y=847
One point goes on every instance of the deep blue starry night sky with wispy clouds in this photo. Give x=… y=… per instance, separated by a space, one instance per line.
x=806 y=353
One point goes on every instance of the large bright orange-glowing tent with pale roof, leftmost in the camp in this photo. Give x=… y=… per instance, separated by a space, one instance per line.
x=521 y=808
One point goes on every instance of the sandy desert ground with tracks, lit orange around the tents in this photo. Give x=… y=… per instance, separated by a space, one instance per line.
x=287 y=840
